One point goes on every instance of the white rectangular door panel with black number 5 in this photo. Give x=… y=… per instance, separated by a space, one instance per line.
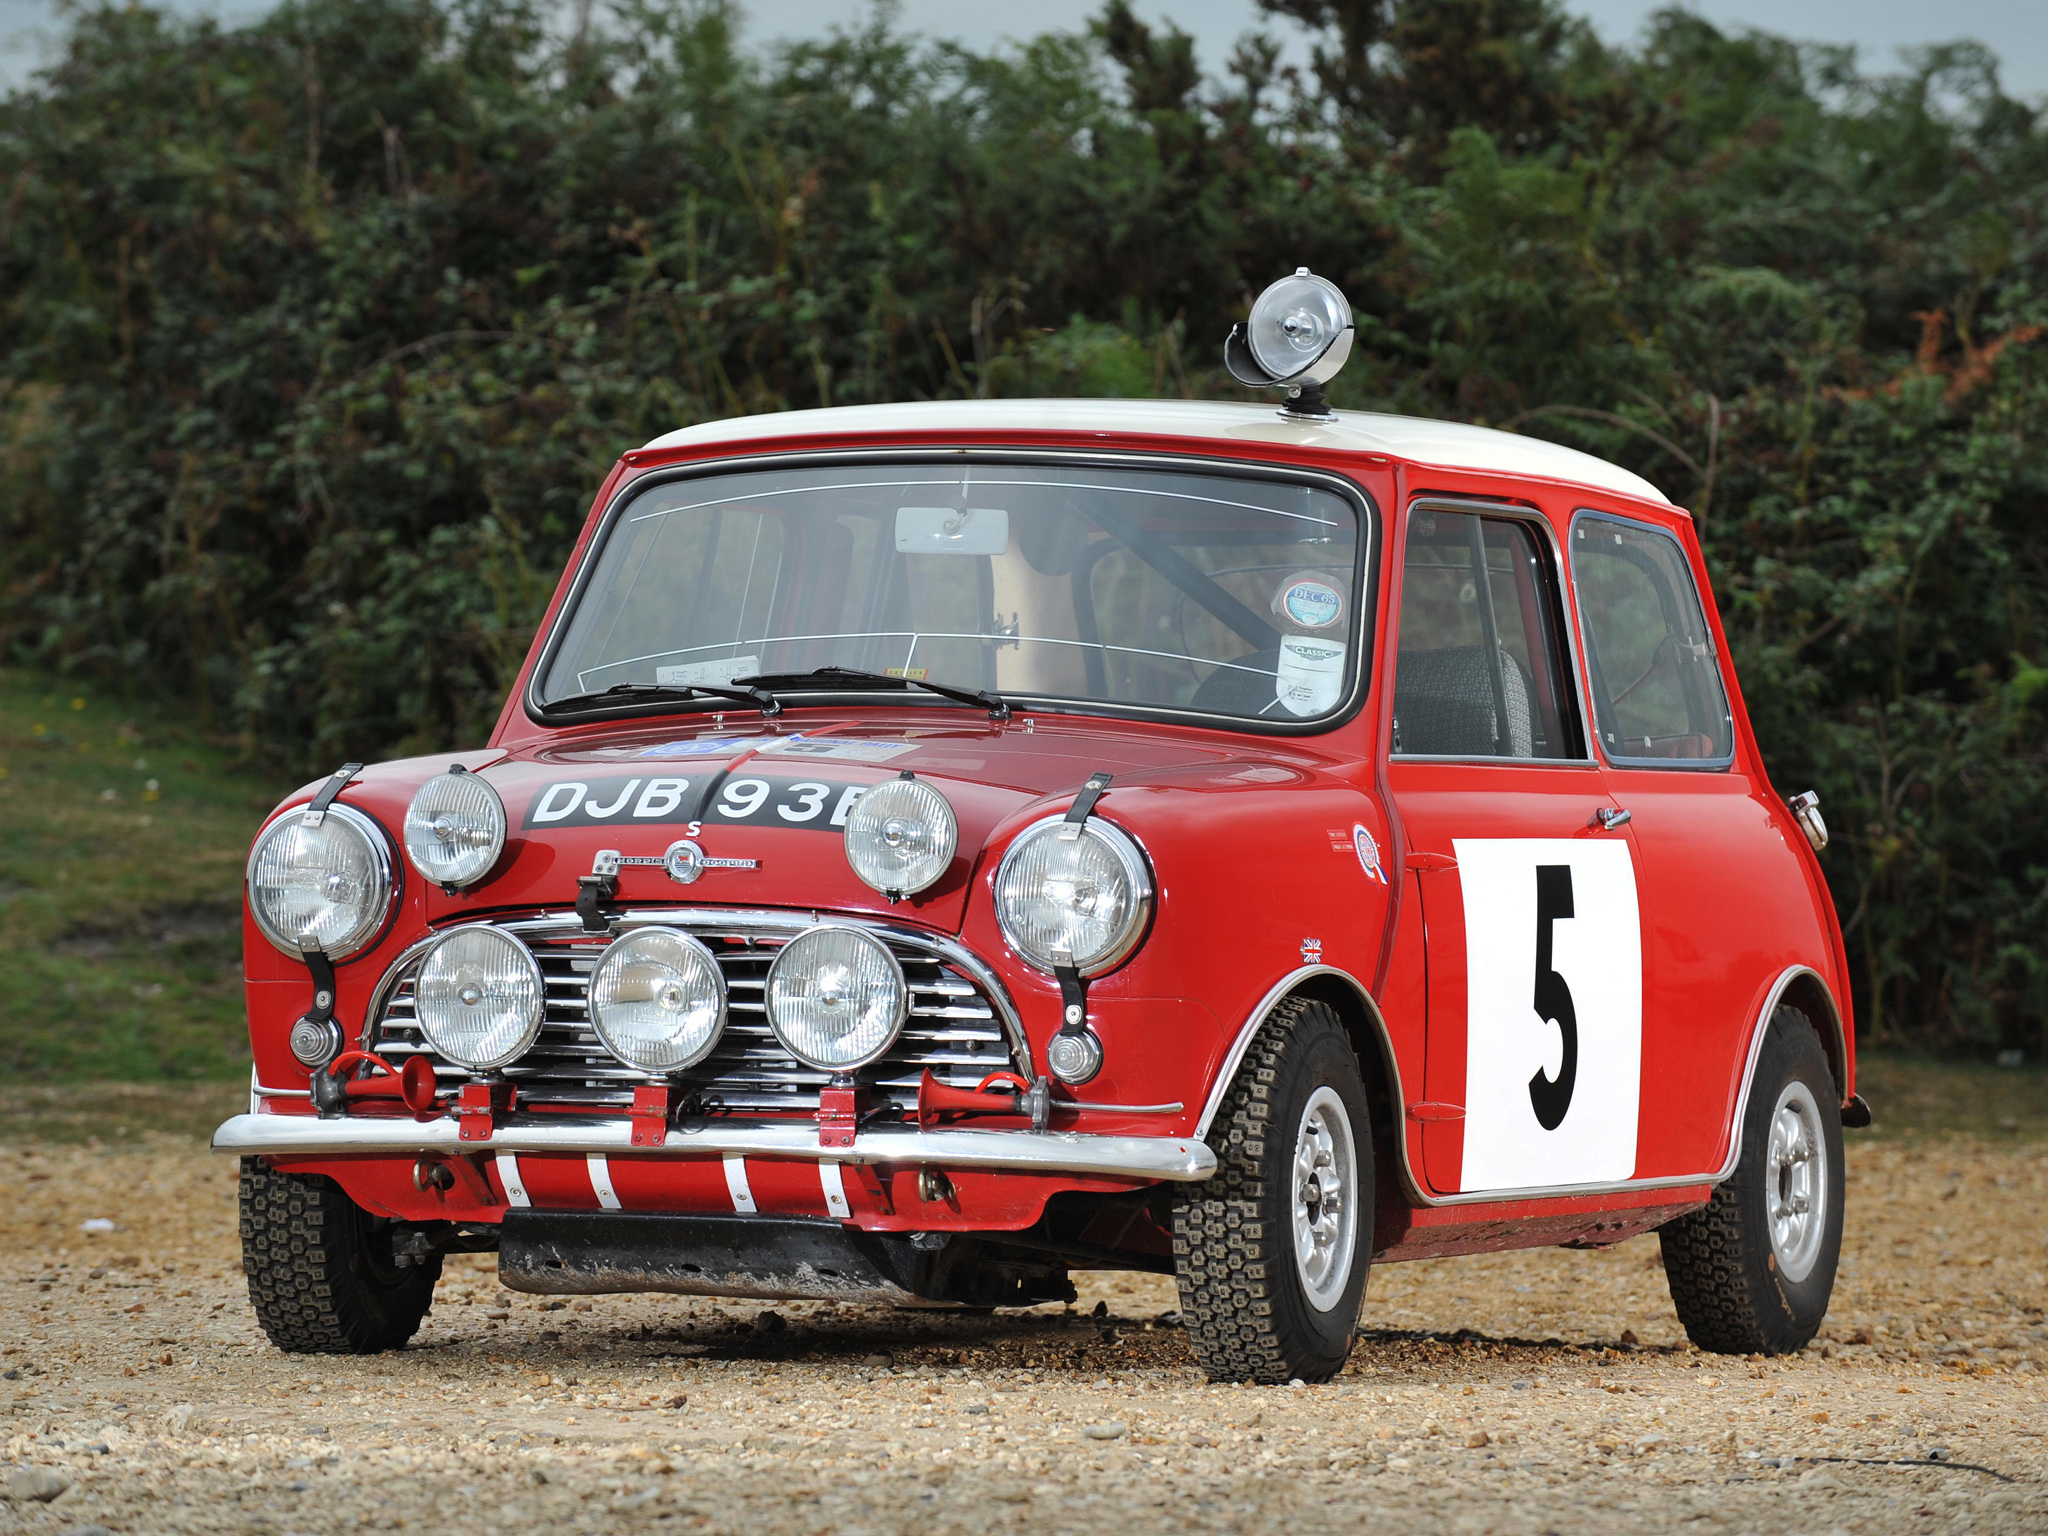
x=1553 y=964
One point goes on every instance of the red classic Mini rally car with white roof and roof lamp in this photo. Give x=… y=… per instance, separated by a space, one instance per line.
x=935 y=849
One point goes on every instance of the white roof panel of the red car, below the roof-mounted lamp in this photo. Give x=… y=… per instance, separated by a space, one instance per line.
x=1447 y=445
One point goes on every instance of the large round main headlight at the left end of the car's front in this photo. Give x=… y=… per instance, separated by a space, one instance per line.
x=327 y=886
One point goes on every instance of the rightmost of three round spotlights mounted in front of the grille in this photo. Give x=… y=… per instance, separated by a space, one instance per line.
x=837 y=998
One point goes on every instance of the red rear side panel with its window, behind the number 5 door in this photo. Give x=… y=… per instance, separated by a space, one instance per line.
x=1725 y=900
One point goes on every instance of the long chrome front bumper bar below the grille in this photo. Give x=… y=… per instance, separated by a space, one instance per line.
x=1031 y=1152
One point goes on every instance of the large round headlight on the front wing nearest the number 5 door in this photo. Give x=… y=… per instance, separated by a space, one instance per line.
x=1074 y=900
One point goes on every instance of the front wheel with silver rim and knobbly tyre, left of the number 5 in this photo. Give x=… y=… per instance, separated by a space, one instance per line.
x=1273 y=1250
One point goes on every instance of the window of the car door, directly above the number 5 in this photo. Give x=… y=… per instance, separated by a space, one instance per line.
x=1480 y=673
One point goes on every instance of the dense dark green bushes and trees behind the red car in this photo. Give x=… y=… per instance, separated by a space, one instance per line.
x=318 y=333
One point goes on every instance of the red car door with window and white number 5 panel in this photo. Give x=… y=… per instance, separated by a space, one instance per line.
x=1531 y=927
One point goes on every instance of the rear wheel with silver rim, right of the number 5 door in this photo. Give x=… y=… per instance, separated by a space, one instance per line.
x=1754 y=1269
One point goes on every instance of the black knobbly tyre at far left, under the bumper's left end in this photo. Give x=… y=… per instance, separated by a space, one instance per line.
x=321 y=1269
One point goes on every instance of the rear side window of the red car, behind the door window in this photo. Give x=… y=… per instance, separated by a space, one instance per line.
x=1650 y=654
